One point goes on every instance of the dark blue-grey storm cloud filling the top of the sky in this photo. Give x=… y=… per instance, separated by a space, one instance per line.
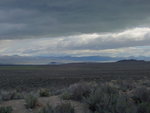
x=44 y=18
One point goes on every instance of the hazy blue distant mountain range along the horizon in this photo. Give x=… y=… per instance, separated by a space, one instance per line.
x=42 y=60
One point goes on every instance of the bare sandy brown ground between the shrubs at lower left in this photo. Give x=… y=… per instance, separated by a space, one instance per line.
x=19 y=105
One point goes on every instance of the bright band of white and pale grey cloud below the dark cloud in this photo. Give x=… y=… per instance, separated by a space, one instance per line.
x=131 y=42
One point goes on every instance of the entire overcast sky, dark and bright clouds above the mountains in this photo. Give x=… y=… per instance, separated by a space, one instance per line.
x=75 y=27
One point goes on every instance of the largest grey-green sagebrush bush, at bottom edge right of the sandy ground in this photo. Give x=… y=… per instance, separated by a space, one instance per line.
x=107 y=99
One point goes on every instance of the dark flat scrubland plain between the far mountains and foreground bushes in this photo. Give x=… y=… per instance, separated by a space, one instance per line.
x=63 y=75
